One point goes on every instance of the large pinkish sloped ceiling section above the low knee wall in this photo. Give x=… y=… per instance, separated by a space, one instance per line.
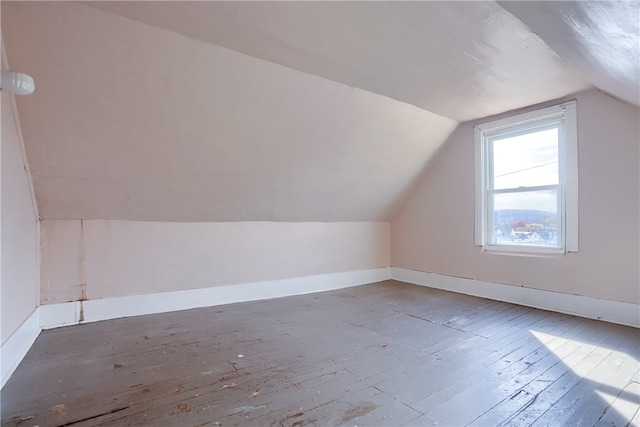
x=132 y=122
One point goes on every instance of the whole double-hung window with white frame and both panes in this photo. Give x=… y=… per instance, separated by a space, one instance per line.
x=527 y=182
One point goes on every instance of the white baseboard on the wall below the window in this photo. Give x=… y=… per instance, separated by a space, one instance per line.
x=593 y=308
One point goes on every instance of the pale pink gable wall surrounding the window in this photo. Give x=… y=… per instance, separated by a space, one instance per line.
x=434 y=230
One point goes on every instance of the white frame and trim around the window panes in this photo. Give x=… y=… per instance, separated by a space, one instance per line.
x=565 y=115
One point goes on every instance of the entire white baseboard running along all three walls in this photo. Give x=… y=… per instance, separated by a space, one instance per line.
x=55 y=315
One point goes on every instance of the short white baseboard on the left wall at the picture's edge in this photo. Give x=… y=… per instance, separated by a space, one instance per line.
x=16 y=346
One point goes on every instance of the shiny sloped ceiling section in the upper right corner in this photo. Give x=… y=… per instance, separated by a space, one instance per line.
x=599 y=38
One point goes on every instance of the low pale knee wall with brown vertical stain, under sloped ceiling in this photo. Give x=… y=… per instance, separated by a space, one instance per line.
x=103 y=258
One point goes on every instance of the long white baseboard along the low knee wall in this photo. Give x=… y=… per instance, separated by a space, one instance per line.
x=56 y=315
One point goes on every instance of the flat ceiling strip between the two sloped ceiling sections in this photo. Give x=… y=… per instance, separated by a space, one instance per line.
x=462 y=60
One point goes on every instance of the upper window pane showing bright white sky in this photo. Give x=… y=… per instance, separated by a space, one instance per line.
x=525 y=160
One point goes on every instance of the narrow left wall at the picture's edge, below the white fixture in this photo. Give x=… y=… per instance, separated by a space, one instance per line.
x=18 y=228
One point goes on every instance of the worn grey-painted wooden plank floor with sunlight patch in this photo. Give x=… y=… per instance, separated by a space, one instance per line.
x=386 y=354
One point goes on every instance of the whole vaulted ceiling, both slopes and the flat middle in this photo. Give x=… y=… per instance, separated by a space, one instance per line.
x=280 y=111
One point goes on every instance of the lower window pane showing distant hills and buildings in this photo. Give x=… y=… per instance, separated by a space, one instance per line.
x=529 y=218
